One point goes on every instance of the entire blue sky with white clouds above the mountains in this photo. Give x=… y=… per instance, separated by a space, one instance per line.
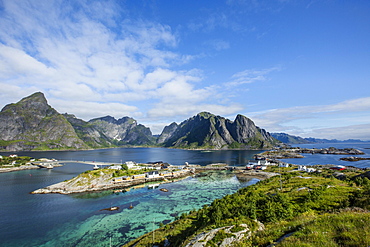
x=301 y=67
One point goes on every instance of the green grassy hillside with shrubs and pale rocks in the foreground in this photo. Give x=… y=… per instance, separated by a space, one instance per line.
x=294 y=209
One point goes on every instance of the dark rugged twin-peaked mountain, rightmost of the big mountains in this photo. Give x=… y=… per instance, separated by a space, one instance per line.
x=206 y=130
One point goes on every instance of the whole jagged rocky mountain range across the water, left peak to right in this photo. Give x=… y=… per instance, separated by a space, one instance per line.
x=32 y=124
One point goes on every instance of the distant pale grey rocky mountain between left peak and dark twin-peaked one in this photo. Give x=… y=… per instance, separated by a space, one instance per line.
x=124 y=130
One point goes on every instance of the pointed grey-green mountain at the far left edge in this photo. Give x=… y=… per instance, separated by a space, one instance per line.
x=32 y=124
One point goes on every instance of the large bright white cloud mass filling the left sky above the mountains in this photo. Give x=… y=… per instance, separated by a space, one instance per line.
x=91 y=60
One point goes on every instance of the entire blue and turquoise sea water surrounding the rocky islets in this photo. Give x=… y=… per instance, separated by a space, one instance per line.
x=76 y=220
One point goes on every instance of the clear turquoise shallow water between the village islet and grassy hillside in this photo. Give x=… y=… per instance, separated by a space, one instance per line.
x=151 y=207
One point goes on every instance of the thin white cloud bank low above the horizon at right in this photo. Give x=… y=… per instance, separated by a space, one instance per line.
x=325 y=121
